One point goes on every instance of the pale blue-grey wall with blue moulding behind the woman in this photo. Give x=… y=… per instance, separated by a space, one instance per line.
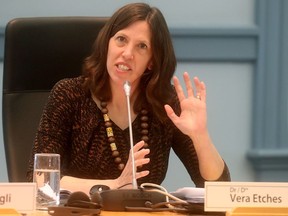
x=238 y=48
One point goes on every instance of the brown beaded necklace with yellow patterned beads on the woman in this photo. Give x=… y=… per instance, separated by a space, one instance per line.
x=110 y=134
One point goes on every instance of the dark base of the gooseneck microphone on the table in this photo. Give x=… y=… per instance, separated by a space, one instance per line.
x=121 y=199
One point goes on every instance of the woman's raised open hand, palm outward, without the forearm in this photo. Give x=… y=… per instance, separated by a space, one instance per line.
x=193 y=117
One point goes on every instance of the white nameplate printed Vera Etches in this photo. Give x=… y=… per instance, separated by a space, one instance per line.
x=223 y=196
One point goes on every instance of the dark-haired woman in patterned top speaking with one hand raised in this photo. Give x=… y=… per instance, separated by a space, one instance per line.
x=86 y=120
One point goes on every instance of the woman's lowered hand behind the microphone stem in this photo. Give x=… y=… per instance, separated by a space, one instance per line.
x=126 y=176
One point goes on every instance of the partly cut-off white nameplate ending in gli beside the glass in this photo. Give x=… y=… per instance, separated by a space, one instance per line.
x=19 y=196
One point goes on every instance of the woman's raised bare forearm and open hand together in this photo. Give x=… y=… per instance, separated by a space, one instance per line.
x=192 y=121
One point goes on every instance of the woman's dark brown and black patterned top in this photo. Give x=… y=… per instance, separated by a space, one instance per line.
x=73 y=126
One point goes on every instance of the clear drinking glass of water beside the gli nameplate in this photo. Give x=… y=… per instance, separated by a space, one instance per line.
x=47 y=178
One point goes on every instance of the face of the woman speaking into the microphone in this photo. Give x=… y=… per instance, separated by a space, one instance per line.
x=129 y=53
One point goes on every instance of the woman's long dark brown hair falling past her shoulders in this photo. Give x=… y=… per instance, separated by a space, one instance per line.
x=155 y=84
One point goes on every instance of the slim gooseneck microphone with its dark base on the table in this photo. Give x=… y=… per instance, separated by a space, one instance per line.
x=130 y=199
